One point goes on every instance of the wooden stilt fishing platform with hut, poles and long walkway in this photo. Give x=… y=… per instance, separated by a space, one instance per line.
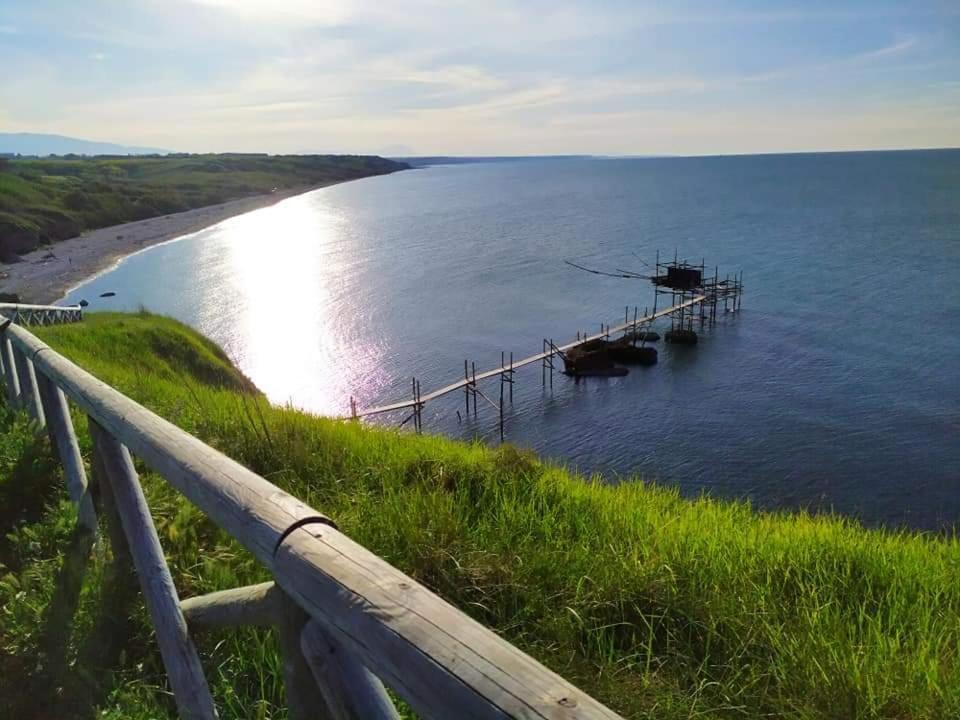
x=695 y=297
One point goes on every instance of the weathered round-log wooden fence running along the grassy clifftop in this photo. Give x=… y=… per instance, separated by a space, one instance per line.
x=348 y=622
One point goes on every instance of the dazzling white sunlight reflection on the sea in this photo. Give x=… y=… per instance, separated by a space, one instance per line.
x=278 y=318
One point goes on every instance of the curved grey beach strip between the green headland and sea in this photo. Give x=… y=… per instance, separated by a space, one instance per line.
x=45 y=275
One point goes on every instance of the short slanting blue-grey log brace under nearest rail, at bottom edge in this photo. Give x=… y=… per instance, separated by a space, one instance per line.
x=350 y=690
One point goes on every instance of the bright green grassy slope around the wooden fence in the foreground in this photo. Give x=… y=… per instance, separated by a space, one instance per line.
x=661 y=607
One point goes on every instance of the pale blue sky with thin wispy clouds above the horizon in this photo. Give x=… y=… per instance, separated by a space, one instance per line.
x=485 y=77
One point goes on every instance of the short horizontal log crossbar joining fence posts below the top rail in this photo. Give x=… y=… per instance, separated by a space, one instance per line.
x=251 y=605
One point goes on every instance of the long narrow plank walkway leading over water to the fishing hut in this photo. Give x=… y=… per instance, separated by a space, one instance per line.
x=470 y=380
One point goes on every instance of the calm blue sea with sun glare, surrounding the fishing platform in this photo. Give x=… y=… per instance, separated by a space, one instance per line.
x=836 y=387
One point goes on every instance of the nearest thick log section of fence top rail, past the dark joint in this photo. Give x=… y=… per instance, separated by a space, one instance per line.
x=437 y=658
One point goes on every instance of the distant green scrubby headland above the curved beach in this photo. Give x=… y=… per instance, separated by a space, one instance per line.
x=46 y=200
